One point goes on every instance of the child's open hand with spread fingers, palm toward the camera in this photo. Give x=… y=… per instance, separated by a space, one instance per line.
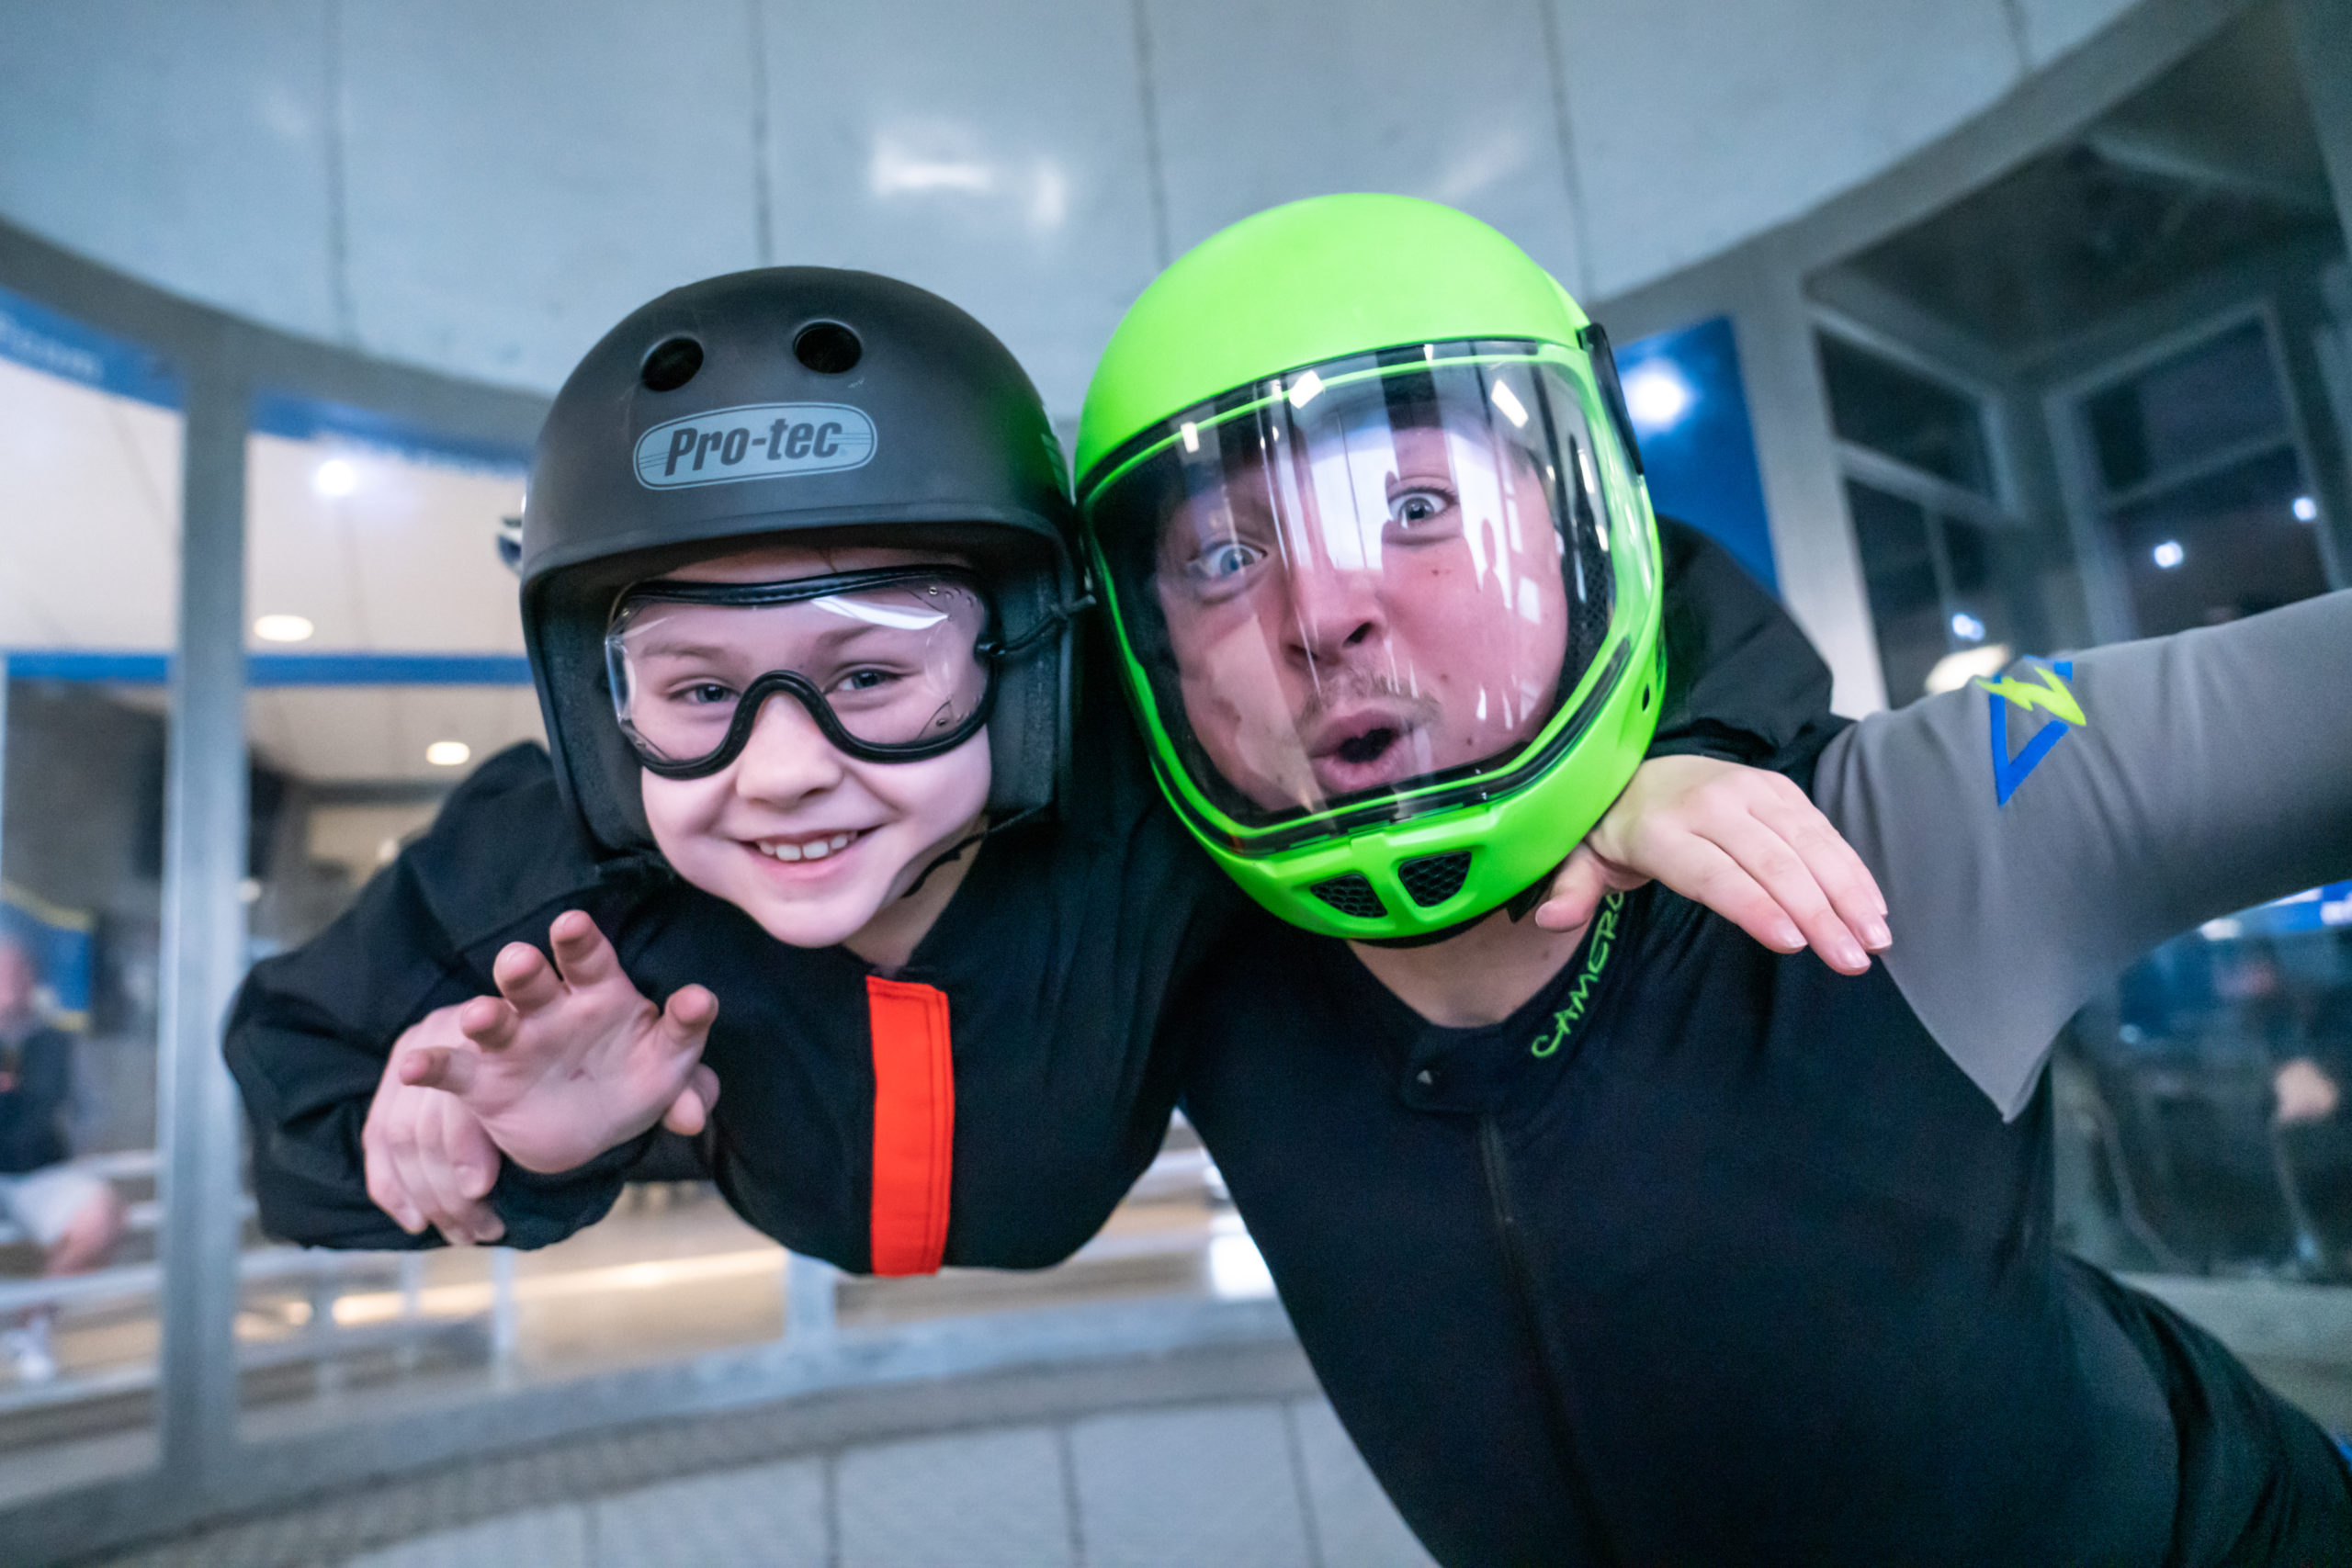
x=570 y=1059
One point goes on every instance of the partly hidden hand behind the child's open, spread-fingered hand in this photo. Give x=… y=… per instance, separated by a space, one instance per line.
x=429 y=1162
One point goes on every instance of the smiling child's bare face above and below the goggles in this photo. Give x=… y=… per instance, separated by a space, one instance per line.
x=808 y=840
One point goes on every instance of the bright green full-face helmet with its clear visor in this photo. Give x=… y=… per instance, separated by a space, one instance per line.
x=1375 y=540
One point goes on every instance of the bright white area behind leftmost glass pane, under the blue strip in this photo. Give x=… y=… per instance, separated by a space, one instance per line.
x=88 y=516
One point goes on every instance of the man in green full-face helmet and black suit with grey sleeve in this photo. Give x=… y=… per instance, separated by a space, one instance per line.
x=1638 y=1242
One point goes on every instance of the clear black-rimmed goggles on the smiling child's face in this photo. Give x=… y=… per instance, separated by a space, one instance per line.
x=890 y=664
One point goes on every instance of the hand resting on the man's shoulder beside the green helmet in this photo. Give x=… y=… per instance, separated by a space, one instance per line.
x=1739 y=840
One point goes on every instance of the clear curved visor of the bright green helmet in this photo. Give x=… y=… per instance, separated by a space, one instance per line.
x=1370 y=579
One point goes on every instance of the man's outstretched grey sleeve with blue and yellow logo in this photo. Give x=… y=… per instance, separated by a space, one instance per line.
x=2038 y=833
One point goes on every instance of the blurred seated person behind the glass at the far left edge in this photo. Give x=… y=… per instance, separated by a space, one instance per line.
x=69 y=1214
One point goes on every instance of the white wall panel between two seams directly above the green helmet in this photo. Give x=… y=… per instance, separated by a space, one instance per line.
x=1267 y=102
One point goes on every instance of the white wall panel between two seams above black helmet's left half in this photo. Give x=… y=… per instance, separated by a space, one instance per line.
x=523 y=175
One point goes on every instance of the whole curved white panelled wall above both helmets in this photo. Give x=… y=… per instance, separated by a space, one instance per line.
x=483 y=189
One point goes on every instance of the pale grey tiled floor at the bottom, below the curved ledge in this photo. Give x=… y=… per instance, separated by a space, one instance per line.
x=1257 y=1485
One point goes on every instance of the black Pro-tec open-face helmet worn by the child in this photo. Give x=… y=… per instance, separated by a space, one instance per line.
x=794 y=403
